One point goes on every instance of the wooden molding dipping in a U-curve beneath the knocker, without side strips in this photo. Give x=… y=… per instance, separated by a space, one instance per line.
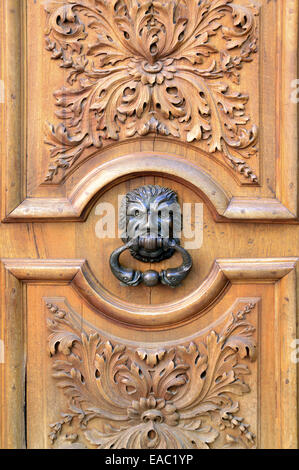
x=78 y=274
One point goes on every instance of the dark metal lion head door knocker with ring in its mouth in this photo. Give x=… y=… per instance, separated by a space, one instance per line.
x=150 y=217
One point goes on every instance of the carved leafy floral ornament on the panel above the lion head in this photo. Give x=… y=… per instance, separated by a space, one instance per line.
x=141 y=66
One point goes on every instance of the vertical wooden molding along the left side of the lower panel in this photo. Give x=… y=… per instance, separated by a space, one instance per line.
x=12 y=417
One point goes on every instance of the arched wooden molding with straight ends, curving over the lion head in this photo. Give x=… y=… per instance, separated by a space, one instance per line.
x=221 y=204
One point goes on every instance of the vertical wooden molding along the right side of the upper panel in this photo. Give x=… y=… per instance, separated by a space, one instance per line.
x=287 y=111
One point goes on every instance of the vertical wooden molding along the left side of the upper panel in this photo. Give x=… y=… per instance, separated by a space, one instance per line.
x=12 y=110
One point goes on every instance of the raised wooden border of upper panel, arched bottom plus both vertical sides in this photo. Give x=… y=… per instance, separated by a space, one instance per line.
x=16 y=207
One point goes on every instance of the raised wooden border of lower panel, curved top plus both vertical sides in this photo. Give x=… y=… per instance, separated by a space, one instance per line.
x=17 y=272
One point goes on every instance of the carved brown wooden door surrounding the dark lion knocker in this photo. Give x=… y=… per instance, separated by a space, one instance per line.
x=102 y=97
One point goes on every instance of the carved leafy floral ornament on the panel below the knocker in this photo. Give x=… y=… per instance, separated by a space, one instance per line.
x=176 y=397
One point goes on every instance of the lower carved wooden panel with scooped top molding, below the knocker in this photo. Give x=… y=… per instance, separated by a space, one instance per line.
x=216 y=383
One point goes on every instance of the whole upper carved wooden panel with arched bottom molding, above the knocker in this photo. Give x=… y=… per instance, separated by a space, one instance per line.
x=114 y=80
